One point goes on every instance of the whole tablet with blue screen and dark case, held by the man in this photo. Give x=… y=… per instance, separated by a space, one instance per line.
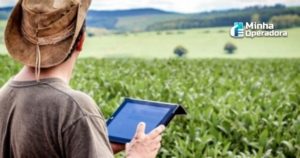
x=123 y=123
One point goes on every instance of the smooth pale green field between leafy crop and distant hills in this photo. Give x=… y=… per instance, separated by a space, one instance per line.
x=201 y=43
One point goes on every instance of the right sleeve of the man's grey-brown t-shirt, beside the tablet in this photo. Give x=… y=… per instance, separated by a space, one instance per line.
x=87 y=138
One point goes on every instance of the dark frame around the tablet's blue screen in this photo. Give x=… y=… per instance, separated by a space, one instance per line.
x=165 y=121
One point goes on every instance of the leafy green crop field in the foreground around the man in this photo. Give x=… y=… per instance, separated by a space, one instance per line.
x=236 y=108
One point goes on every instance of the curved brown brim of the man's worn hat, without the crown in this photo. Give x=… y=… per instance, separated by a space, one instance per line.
x=25 y=52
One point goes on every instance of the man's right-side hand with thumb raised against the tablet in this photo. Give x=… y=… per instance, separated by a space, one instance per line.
x=142 y=145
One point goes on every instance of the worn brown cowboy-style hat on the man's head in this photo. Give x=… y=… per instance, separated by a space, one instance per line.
x=41 y=33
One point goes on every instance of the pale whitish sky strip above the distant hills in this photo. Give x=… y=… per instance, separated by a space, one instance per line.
x=184 y=6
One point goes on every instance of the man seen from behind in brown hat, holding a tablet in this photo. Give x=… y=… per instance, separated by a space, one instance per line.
x=41 y=116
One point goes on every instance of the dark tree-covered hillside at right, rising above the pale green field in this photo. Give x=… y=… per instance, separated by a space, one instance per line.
x=280 y=15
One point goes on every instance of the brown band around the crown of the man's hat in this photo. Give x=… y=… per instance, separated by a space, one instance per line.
x=49 y=40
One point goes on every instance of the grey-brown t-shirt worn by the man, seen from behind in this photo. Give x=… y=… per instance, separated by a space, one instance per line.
x=49 y=119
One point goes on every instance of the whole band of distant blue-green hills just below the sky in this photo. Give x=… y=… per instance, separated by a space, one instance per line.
x=148 y=19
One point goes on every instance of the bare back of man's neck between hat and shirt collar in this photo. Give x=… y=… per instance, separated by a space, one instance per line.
x=62 y=71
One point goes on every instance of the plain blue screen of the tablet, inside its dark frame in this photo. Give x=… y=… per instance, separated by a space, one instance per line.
x=124 y=124
